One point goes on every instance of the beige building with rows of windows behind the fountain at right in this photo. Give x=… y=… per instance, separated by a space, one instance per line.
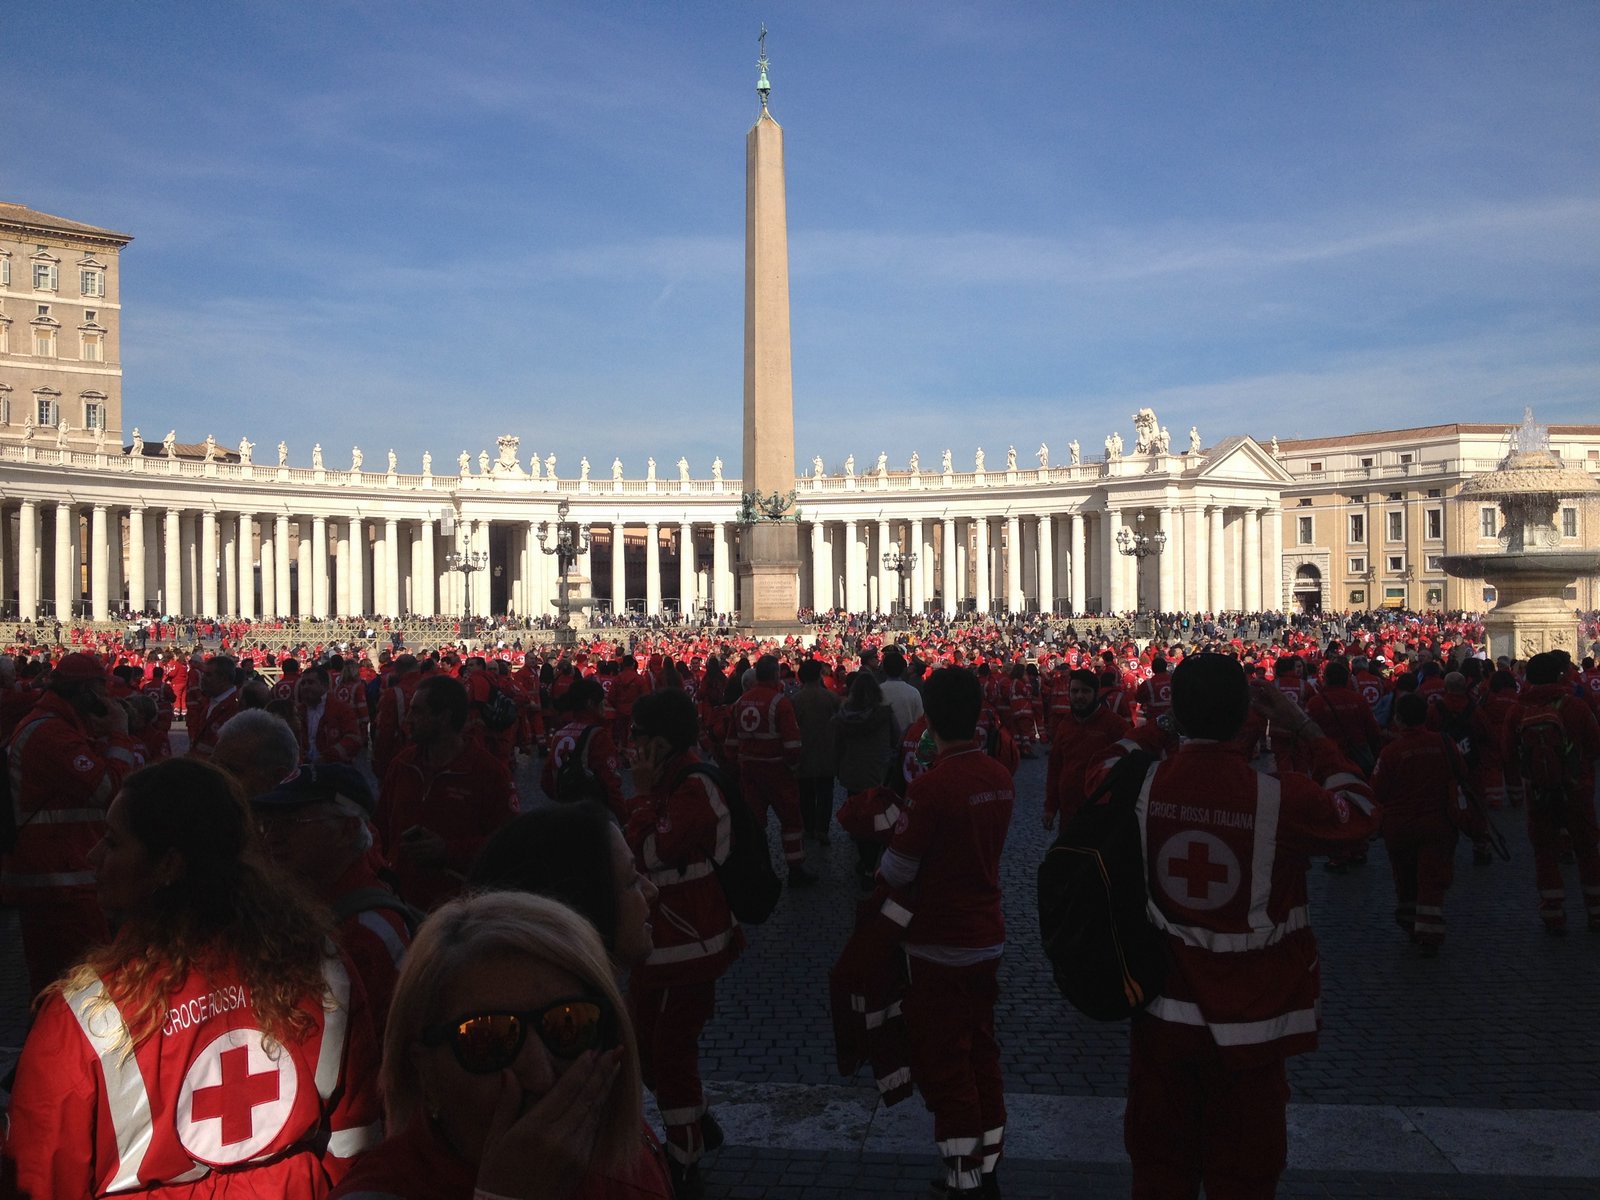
x=1369 y=516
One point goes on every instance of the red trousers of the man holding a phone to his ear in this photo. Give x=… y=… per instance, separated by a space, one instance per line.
x=668 y=1023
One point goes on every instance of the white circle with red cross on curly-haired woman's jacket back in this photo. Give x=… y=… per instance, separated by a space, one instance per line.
x=236 y=1098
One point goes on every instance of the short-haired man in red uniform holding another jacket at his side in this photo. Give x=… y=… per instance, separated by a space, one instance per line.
x=945 y=865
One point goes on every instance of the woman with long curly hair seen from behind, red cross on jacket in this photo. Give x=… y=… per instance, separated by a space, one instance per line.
x=218 y=1042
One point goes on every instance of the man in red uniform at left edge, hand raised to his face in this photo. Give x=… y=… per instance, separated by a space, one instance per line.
x=68 y=761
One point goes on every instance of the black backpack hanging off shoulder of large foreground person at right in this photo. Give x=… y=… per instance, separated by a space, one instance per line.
x=1094 y=900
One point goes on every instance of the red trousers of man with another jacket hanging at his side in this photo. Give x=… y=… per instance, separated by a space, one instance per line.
x=956 y=1065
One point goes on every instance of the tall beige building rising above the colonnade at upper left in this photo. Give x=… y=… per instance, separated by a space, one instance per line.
x=60 y=329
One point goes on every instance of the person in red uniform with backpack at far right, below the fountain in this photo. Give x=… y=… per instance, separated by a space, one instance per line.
x=1559 y=794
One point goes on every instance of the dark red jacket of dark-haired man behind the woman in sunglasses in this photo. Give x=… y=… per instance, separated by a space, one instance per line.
x=463 y=802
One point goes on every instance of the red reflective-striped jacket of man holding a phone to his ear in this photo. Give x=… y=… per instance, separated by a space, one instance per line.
x=678 y=833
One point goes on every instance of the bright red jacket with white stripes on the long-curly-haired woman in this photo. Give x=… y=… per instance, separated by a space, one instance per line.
x=206 y=1092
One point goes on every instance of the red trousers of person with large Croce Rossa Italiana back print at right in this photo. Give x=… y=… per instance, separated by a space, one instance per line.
x=1194 y=1119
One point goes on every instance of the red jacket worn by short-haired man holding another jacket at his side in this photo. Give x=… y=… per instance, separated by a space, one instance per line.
x=953 y=828
